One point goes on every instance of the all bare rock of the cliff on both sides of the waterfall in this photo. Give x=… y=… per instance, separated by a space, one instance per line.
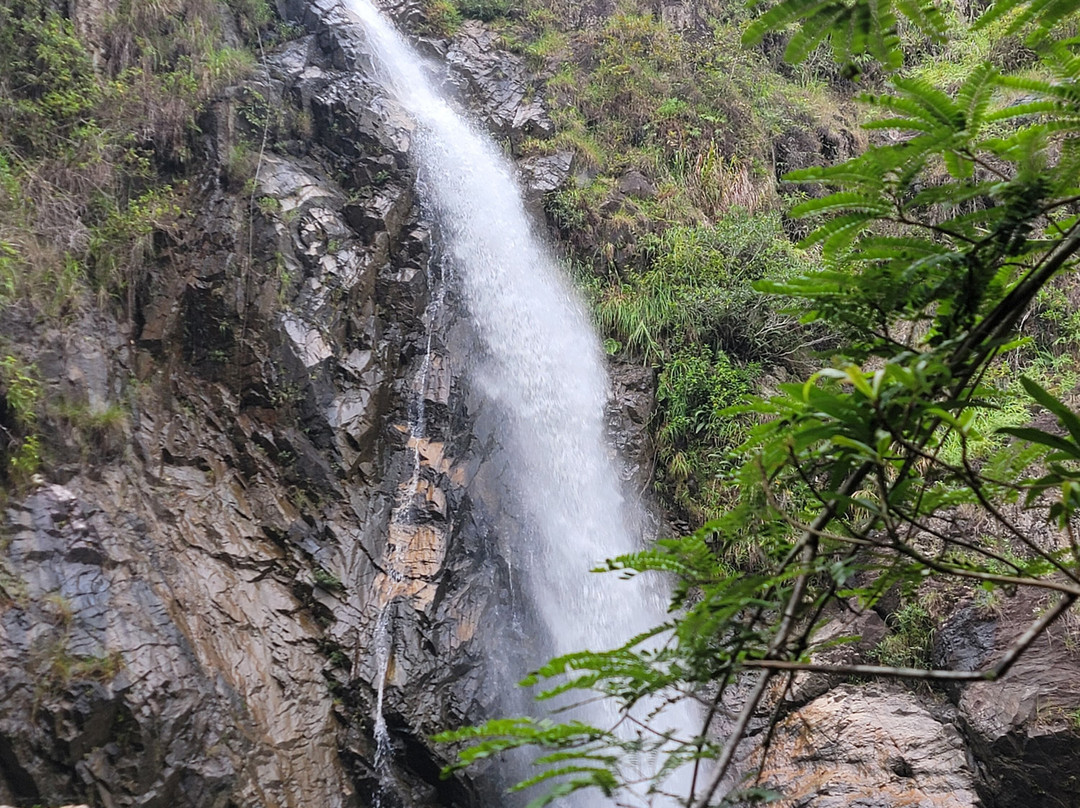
x=191 y=597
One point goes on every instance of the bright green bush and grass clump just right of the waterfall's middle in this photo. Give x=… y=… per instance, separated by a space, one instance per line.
x=696 y=316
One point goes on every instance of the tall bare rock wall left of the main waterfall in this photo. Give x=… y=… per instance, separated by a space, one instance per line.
x=188 y=616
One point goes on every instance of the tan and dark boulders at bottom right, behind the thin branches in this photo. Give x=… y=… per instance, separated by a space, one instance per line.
x=992 y=745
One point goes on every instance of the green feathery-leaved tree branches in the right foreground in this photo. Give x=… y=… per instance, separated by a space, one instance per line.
x=935 y=246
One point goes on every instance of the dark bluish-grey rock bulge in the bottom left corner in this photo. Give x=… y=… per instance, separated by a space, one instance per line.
x=91 y=649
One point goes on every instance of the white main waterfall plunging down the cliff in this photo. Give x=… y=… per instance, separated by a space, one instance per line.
x=541 y=369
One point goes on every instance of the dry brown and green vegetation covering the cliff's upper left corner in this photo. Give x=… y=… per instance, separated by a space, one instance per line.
x=94 y=138
